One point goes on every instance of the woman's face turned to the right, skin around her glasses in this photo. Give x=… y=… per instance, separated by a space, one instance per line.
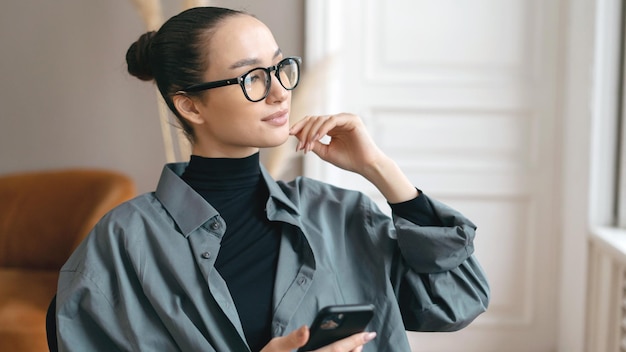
x=232 y=125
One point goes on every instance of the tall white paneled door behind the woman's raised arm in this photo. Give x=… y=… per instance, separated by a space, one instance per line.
x=461 y=93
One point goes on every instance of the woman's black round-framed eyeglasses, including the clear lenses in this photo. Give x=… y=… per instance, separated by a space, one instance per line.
x=256 y=83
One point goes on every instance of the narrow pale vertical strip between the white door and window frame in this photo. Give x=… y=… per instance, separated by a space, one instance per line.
x=575 y=173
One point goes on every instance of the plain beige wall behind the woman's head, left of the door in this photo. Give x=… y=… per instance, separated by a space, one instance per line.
x=67 y=100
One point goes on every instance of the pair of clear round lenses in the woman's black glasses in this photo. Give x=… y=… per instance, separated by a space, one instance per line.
x=257 y=82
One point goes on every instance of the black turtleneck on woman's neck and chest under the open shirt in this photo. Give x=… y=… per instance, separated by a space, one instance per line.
x=249 y=249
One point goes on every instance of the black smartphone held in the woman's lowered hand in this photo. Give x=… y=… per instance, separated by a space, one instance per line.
x=336 y=322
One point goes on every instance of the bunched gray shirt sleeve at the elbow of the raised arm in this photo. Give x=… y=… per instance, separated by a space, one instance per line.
x=439 y=283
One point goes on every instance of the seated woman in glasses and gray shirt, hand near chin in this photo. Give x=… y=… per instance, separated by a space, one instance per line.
x=222 y=257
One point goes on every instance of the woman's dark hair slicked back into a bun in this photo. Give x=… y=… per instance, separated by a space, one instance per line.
x=175 y=56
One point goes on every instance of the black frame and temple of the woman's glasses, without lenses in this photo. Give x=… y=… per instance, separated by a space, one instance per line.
x=240 y=80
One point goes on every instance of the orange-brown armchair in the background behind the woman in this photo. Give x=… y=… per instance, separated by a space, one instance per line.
x=43 y=217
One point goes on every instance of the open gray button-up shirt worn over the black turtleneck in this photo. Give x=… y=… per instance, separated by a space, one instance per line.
x=143 y=280
